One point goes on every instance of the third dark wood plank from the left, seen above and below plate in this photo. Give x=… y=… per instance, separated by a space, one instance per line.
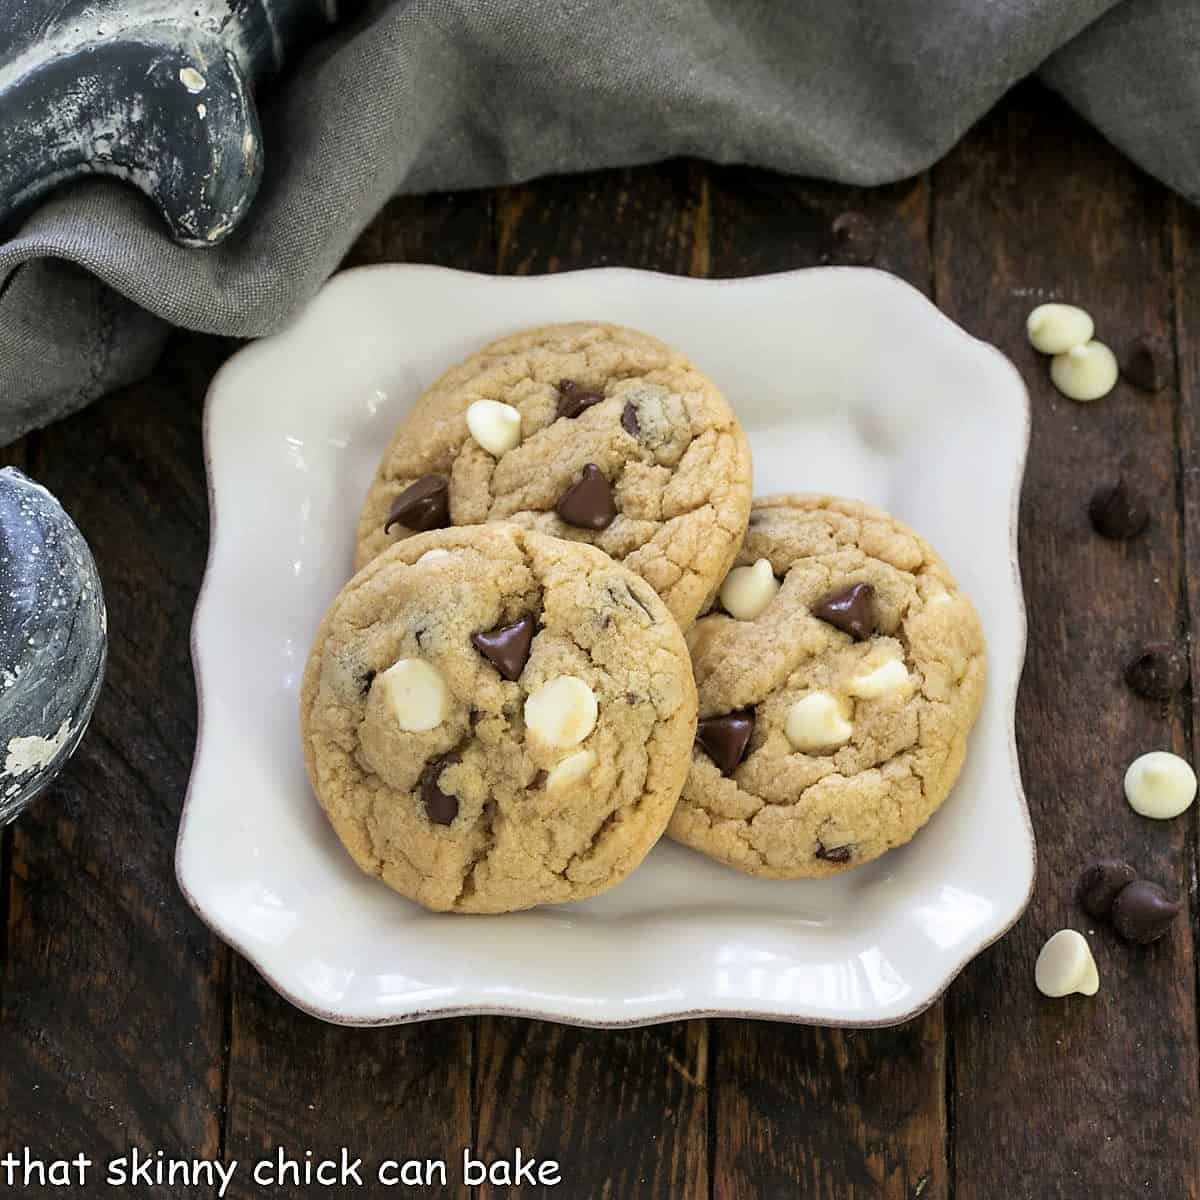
x=627 y=1111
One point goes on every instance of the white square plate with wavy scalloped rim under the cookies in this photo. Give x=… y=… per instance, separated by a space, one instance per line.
x=848 y=382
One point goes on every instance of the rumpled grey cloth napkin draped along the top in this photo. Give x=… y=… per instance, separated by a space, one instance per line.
x=448 y=94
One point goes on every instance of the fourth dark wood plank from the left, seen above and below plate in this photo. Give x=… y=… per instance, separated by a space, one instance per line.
x=800 y=1112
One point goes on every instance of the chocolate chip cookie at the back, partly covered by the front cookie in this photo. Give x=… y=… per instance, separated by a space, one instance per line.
x=586 y=431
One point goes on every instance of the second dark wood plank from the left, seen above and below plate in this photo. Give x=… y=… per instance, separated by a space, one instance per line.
x=293 y=1082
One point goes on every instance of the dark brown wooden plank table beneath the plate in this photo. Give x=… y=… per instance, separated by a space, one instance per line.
x=124 y=1022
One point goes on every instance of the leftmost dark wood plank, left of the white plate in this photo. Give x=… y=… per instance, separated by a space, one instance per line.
x=113 y=994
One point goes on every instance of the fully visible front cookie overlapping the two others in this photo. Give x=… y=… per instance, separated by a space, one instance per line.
x=495 y=719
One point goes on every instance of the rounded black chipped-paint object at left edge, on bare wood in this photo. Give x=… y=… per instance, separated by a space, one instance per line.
x=53 y=639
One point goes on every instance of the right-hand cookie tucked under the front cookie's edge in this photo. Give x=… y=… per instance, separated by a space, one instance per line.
x=835 y=712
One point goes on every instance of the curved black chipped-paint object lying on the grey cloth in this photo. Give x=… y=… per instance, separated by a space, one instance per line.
x=151 y=92
